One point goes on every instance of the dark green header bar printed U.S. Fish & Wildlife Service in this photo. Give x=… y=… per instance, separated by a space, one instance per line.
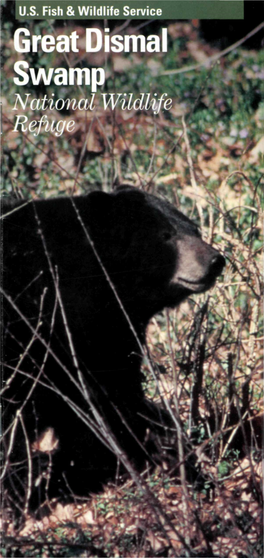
x=130 y=9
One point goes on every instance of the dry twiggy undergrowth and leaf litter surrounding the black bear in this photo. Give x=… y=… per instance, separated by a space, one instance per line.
x=206 y=155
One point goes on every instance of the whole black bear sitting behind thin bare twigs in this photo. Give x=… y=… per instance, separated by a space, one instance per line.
x=82 y=277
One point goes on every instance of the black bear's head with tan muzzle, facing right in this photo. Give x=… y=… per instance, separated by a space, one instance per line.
x=151 y=248
